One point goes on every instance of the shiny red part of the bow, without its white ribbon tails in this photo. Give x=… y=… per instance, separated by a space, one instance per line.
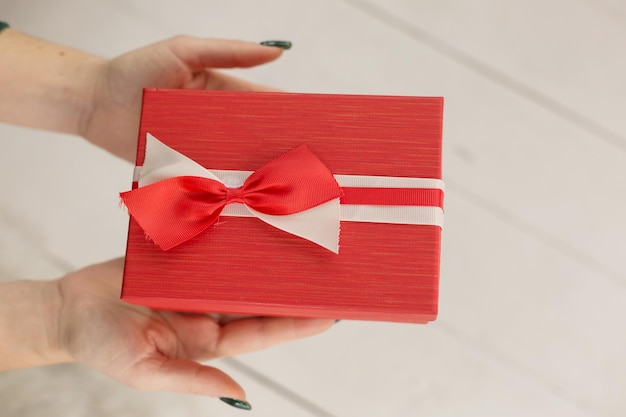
x=177 y=209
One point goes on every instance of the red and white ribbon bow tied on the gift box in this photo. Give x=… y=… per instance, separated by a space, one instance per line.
x=173 y=210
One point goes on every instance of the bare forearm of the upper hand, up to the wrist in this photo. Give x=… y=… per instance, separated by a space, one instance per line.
x=47 y=86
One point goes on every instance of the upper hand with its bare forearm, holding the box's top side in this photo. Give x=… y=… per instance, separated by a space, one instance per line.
x=49 y=86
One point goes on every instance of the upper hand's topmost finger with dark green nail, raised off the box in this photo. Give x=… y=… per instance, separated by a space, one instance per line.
x=198 y=53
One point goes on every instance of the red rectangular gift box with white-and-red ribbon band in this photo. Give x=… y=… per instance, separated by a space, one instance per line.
x=387 y=267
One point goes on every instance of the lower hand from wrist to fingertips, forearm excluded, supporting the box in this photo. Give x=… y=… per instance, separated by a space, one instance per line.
x=156 y=350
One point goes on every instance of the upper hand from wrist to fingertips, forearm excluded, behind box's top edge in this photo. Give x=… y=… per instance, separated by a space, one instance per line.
x=181 y=62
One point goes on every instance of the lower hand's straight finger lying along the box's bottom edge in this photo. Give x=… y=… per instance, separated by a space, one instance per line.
x=254 y=334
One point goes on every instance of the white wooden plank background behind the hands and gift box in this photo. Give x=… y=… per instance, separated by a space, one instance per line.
x=533 y=299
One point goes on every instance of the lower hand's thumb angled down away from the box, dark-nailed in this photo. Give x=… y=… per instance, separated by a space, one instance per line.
x=158 y=373
